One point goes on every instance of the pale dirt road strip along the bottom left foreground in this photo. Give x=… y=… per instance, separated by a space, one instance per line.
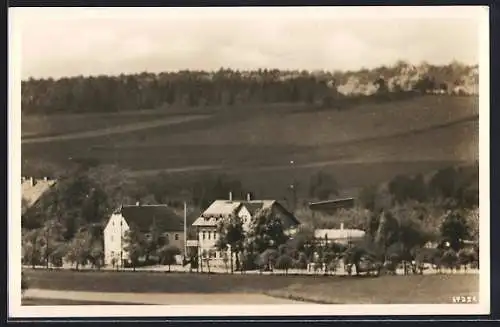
x=161 y=298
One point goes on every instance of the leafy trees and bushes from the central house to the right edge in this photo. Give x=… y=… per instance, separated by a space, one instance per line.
x=396 y=237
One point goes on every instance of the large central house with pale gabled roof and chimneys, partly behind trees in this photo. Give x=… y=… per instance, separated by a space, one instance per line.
x=206 y=224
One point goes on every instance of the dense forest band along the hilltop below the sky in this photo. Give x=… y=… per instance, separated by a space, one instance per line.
x=227 y=87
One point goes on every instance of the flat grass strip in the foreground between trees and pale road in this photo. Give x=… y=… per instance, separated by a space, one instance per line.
x=322 y=289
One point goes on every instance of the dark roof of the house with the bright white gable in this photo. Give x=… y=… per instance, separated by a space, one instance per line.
x=144 y=216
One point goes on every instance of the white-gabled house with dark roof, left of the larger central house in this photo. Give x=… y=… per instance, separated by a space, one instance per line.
x=143 y=217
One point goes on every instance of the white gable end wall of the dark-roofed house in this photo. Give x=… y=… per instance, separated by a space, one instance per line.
x=114 y=234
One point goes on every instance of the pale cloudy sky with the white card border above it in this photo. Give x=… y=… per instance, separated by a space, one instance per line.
x=57 y=42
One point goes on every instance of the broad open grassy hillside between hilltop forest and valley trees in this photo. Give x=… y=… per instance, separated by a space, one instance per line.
x=363 y=145
